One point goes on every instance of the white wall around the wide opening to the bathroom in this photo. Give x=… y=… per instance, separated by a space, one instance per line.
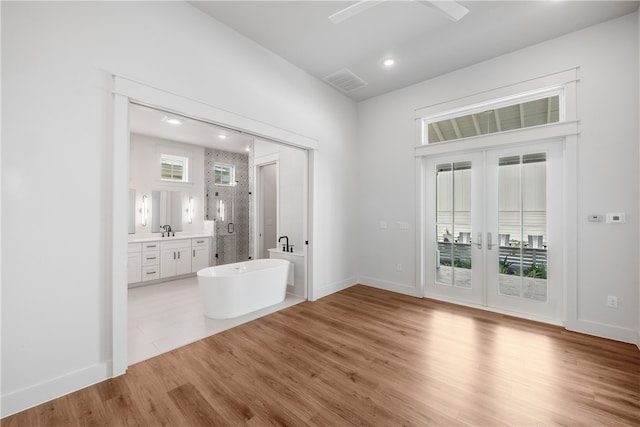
x=57 y=61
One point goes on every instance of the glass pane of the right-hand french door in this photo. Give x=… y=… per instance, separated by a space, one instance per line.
x=522 y=226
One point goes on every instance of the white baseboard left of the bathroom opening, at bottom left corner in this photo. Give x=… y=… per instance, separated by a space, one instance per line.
x=31 y=396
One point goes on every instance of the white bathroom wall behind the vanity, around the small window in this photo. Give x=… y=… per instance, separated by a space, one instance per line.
x=144 y=177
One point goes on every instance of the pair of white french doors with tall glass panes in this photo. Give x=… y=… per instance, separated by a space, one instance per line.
x=494 y=229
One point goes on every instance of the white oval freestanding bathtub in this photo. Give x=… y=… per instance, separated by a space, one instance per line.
x=232 y=290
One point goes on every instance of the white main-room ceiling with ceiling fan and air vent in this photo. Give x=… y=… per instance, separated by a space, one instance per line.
x=423 y=41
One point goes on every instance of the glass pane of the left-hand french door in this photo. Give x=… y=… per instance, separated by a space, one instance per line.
x=453 y=224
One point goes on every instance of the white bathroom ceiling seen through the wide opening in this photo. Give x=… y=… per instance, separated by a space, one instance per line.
x=148 y=121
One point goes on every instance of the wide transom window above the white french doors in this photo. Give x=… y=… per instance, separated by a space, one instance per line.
x=500 y=116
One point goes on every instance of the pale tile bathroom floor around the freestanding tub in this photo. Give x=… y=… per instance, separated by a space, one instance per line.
x=168 y=315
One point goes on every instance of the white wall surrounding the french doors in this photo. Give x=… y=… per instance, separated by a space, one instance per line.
x=607 y=159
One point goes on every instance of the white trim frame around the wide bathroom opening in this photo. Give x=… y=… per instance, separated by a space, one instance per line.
x=124 y=92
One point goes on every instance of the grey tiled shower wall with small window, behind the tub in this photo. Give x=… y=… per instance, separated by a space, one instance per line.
x=230 y=245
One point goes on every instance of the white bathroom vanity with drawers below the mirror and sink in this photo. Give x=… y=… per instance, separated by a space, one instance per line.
x=157 y=259
